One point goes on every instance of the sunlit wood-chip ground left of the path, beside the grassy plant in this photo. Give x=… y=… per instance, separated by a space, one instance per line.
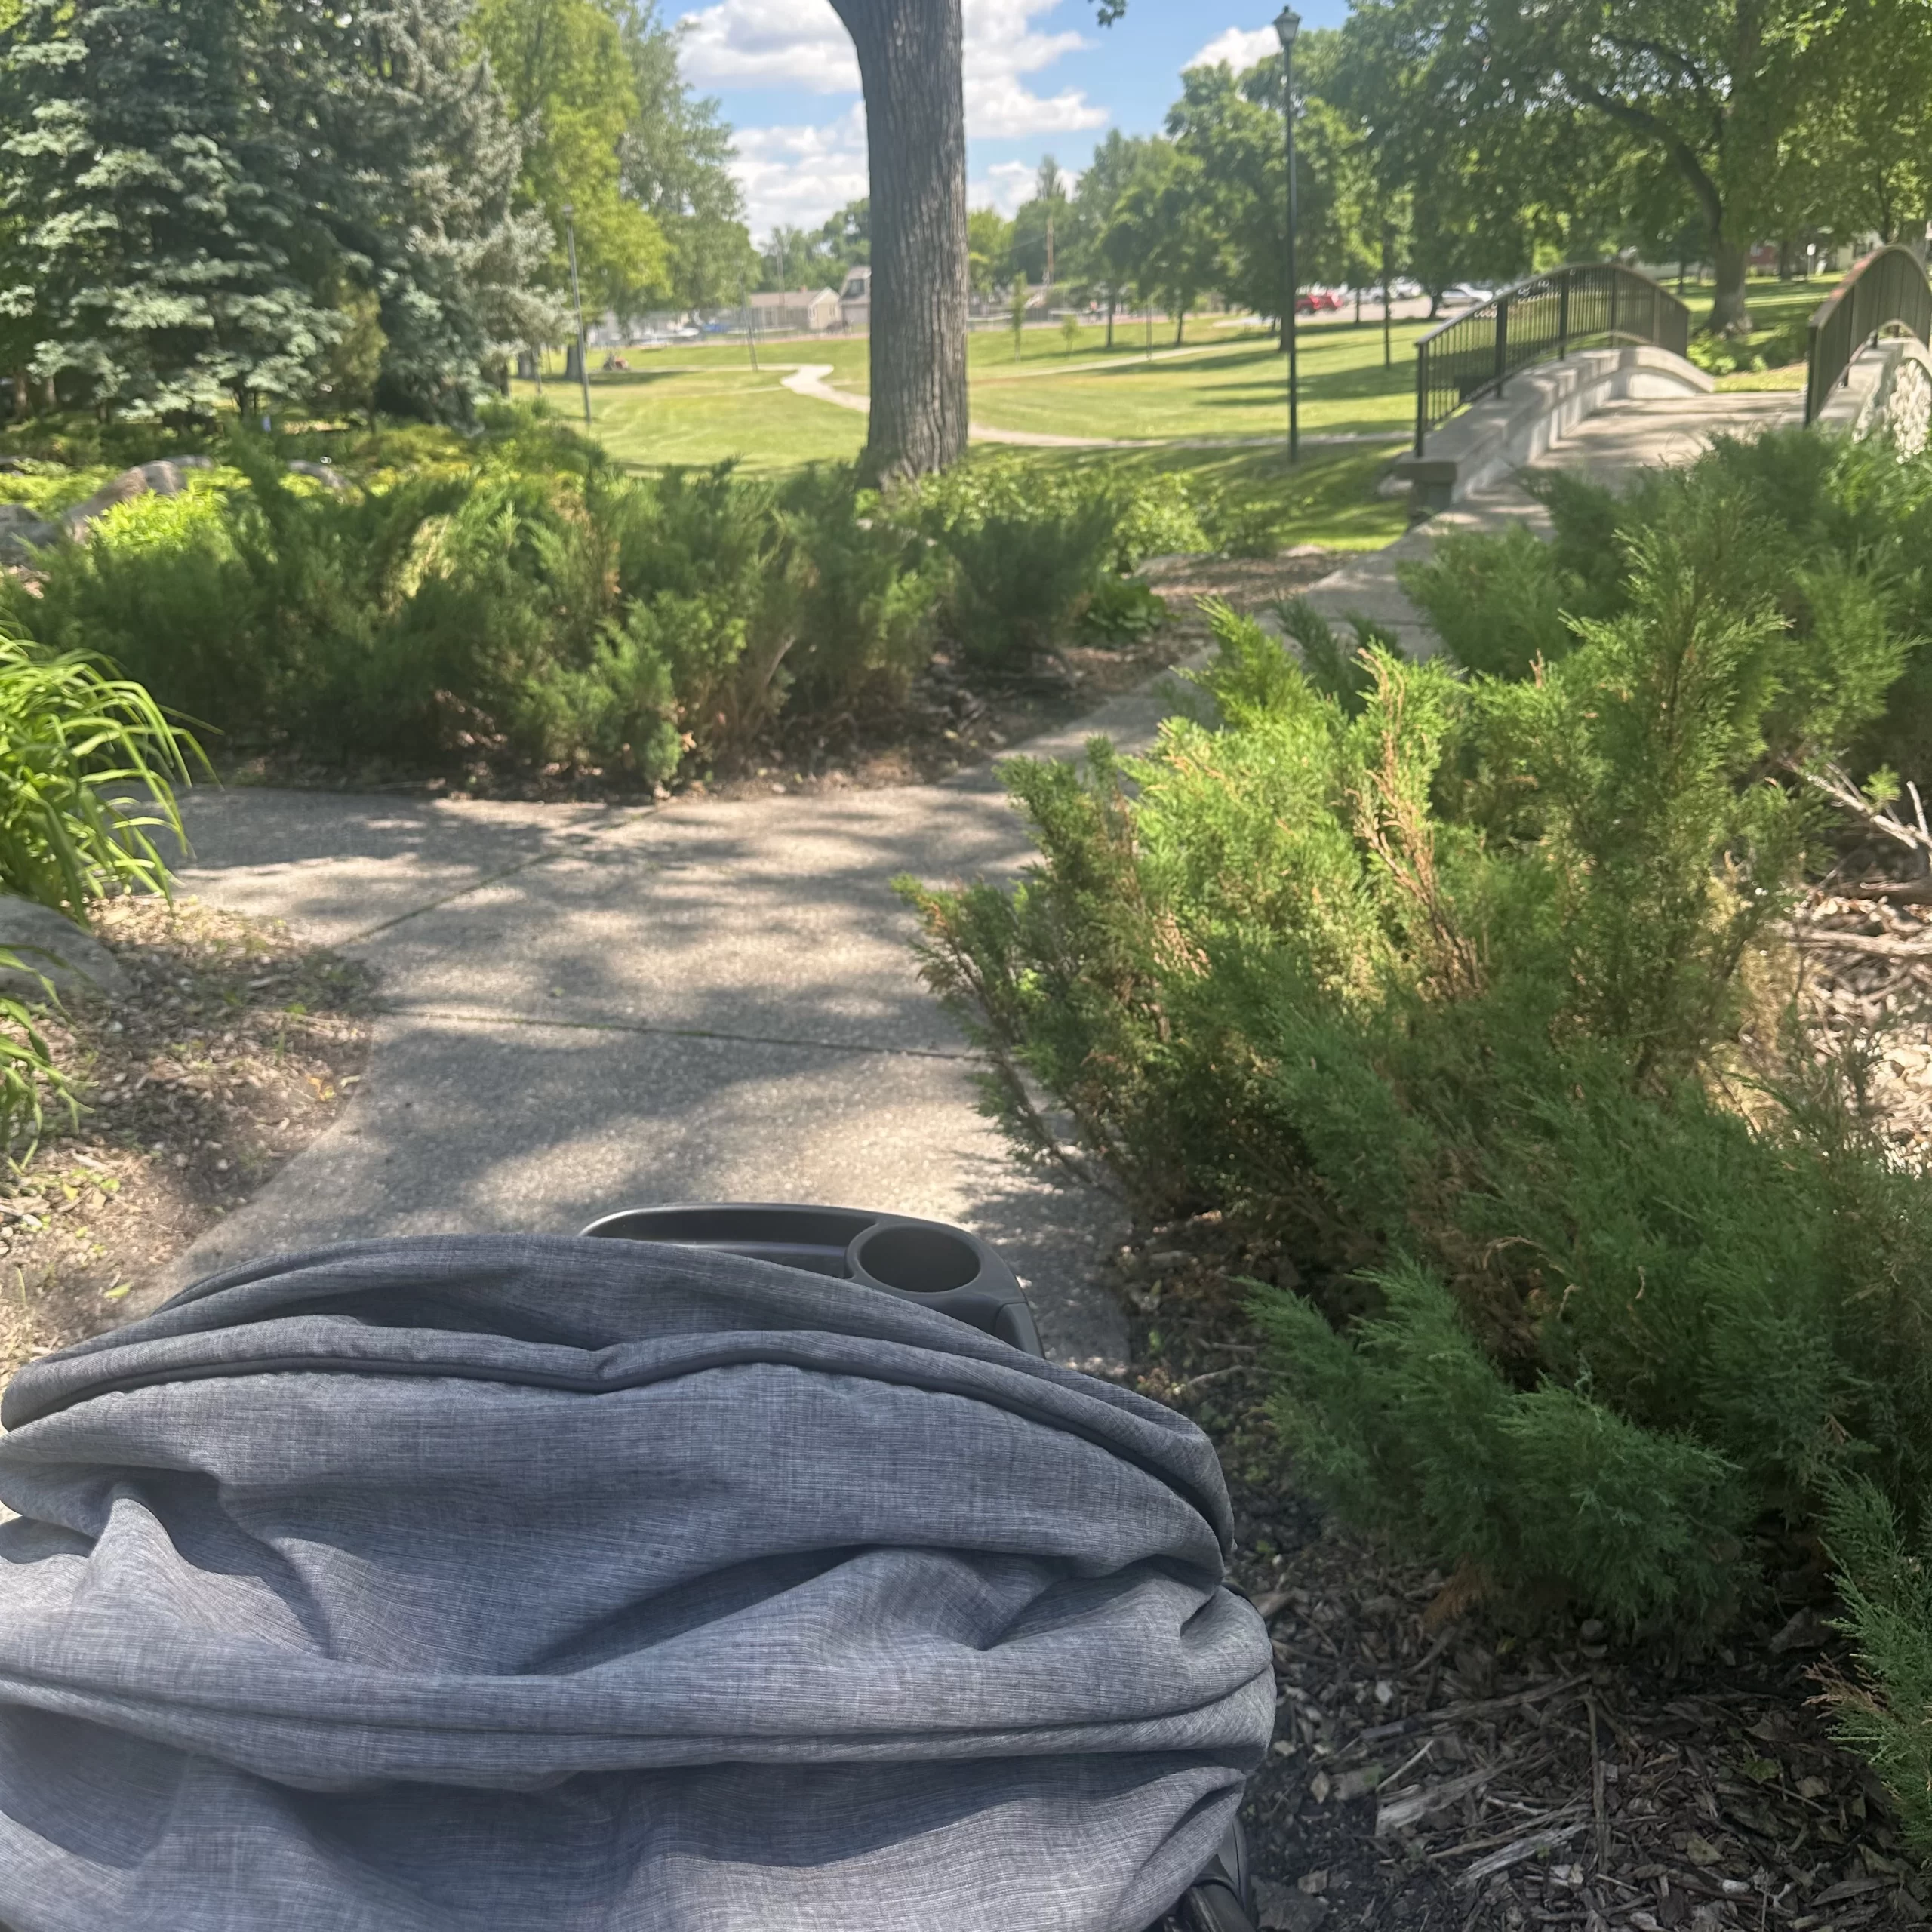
x=237 y=1048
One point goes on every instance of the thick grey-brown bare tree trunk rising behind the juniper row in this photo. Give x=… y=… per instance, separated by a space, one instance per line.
x=911 y=67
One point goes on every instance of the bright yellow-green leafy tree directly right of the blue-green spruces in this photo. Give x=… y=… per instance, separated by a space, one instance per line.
x=571 y=80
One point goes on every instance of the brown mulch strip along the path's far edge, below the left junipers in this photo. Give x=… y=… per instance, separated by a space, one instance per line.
x=955 y=716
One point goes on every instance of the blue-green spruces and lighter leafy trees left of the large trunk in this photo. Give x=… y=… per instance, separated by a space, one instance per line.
x=260 y=204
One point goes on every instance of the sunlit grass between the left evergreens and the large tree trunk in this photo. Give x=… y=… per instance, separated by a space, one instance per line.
x=681 y=416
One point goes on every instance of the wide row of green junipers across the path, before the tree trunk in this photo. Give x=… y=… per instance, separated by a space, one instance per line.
x=515 y=596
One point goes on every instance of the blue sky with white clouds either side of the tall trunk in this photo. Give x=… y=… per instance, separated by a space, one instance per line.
x=1040 y=78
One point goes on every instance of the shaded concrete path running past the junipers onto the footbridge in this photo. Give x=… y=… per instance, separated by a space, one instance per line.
x=594 y=1008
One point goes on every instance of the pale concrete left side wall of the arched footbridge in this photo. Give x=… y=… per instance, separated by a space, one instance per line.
x=1492 y=440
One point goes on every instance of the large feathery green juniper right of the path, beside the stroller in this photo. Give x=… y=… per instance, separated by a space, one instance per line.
x=1448 y=986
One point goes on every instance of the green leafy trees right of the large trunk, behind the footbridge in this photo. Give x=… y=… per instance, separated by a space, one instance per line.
x=1479 y=140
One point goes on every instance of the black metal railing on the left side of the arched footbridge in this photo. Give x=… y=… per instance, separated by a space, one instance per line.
x=1541 y=320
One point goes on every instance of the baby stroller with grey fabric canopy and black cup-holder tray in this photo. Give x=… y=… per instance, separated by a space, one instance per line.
x=724 y=1570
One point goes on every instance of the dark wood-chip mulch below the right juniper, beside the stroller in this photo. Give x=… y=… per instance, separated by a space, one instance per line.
x=1438 y=1769
